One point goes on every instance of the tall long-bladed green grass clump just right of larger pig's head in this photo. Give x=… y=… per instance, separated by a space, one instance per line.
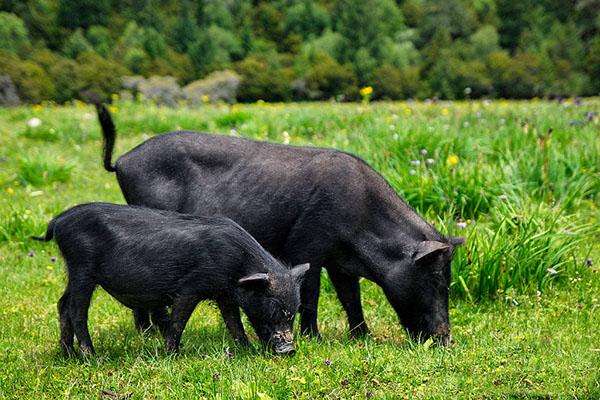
x=521 y=250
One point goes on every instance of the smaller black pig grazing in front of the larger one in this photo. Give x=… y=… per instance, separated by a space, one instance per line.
x=150 y=259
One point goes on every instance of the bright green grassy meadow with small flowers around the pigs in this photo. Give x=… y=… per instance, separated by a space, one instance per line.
x=521 y=180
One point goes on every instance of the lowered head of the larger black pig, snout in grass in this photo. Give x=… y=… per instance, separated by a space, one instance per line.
x=417 y=286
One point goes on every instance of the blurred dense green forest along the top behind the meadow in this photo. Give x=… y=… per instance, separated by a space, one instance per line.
x=304 y=49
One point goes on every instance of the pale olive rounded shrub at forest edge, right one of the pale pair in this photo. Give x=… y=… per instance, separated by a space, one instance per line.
x=218 y=86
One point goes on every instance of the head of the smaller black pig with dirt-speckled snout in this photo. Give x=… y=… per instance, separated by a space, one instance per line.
x=271 y=301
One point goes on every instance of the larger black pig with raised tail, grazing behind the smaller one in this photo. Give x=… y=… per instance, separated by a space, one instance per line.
x=302 y=203
